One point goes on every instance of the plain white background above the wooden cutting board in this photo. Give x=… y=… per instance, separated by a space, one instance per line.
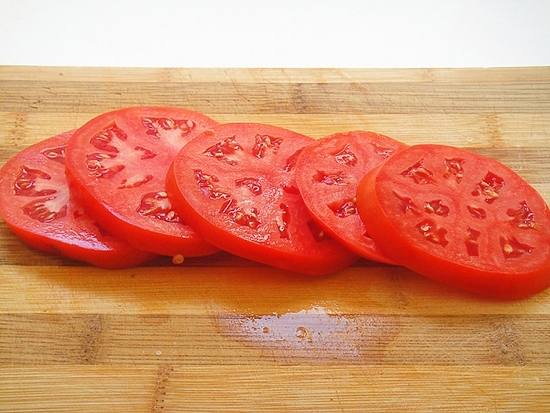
x=284 y=33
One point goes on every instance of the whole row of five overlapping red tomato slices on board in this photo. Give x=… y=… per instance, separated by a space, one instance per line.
x=139 y=182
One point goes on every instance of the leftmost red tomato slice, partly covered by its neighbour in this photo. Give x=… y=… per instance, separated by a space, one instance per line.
x=37 y=206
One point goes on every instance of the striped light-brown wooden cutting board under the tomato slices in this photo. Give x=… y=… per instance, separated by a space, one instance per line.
x=220 y=334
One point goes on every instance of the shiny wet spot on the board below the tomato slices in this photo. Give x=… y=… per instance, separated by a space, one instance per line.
x=314 y=335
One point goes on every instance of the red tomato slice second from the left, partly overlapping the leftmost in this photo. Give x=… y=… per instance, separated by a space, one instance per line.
x=116 y=166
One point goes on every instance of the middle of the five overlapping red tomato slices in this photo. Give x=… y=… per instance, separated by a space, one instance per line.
x=236 y=185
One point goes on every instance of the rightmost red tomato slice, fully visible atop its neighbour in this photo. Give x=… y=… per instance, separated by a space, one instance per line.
x=459 y=218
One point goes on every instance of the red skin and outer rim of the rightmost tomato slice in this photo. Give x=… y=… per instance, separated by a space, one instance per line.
x=511 y=282
